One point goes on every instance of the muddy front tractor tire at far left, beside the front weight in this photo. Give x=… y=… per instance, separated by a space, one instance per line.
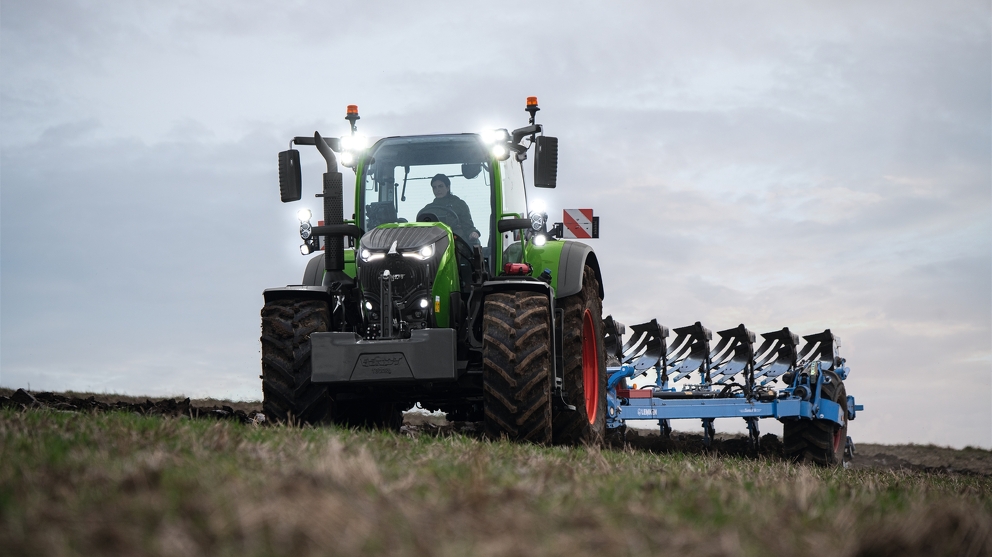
x=288 y=394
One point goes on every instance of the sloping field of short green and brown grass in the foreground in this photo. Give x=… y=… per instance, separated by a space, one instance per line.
x=113 y=483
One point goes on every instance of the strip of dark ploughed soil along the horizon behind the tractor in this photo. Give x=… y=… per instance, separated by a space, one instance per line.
x=923 y=458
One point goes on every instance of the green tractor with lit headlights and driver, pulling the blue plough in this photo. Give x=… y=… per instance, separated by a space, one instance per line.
x=444 y=289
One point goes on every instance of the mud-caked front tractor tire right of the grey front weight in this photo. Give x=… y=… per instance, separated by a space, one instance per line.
x=516 y=331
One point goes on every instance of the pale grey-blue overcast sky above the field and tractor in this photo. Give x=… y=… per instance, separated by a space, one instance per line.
x=811 y=165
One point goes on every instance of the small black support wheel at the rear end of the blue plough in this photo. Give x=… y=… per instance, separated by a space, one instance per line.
x=819 y=441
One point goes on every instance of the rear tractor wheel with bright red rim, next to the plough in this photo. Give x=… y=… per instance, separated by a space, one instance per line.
x=584 y=358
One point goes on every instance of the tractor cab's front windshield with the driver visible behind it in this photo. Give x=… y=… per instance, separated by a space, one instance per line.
x=430 y=178
